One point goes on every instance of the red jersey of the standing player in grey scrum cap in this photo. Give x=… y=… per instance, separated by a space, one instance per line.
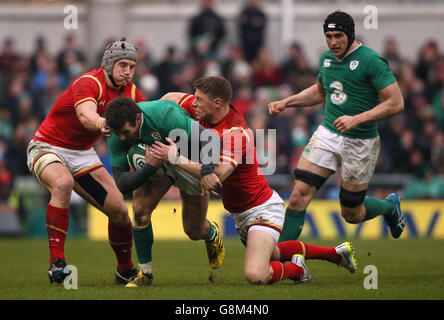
x=62 y=128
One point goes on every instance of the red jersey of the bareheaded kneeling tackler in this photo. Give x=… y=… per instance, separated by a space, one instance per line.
x=246 y=187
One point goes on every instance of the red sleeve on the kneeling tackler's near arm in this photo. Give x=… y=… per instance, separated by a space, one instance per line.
x=236 y=146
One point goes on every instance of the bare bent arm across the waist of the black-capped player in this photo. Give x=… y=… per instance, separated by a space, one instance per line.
x=393 y=104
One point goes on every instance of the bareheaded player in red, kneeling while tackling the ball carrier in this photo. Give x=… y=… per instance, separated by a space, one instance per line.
x=257 y=210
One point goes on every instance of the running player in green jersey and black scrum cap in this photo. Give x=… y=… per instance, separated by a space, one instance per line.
x=351 y=80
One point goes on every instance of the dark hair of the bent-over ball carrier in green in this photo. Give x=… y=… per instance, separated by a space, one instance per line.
x=120 y=111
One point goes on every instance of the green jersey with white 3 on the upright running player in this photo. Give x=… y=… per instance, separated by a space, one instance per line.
x=351 y=86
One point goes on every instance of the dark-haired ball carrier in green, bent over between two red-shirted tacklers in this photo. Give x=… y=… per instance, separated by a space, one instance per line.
x=146 y=123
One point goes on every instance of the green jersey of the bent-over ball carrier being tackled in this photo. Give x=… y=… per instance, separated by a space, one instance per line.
x=159 y=118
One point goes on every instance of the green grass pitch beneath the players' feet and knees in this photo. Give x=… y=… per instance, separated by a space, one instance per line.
x=406 y=269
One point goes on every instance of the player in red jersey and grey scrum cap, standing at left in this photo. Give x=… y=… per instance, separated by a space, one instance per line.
x=62 y=158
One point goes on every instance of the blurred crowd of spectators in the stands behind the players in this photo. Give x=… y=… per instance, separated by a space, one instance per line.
x=412 y=142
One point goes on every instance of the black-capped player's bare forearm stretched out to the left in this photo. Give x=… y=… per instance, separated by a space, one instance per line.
x=309 y=97
